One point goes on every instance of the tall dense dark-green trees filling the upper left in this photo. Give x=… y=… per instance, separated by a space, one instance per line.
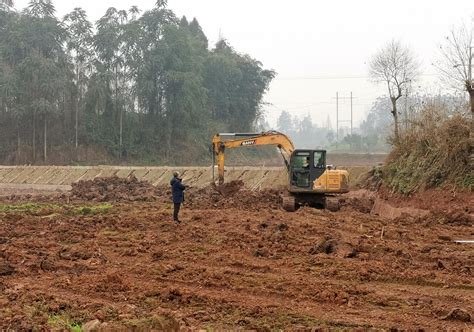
x=133 y=86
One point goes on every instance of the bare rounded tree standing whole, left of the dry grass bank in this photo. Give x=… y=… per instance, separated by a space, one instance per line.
x=396 y=66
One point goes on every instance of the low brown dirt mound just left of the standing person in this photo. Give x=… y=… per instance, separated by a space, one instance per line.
x=113 y=189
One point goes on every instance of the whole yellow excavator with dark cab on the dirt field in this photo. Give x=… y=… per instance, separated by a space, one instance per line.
x=310 y=181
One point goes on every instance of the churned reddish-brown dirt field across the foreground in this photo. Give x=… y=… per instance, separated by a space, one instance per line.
x=237 y=262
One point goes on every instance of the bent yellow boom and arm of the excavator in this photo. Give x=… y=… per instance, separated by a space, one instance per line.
x=221 y=142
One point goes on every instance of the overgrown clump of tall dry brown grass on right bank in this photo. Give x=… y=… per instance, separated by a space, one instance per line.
x=434 y=151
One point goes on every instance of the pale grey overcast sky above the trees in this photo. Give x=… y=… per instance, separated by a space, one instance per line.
x=317 y=48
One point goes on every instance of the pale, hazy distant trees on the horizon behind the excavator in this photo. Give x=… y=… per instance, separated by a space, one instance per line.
x=375 y=133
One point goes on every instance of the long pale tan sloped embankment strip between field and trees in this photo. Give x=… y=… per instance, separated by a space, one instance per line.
x=61 y=177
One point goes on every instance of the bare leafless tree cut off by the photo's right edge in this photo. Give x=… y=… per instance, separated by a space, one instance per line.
x=456 y=65
